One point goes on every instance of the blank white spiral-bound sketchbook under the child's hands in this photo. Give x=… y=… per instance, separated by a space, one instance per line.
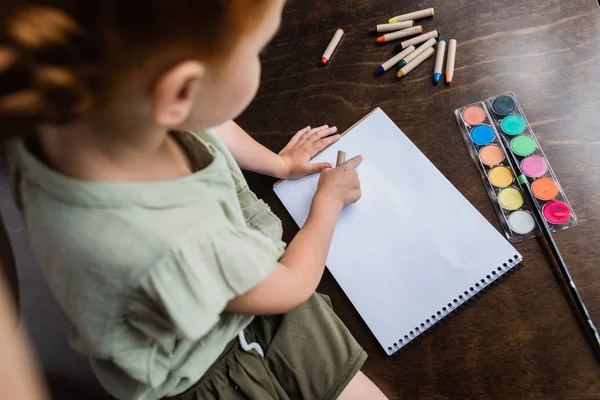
x=413 y=249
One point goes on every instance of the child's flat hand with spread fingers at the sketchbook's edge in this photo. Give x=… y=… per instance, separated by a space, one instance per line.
x=305 y=145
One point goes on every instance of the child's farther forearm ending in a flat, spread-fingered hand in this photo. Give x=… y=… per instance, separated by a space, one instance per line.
x=294 y=160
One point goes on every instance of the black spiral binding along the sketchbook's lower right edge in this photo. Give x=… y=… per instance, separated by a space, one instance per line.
x=456 y=303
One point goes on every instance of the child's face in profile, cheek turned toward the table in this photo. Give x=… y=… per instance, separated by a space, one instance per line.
x=230 y=85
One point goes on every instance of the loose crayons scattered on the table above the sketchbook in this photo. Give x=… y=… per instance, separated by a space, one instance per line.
x=408 y=56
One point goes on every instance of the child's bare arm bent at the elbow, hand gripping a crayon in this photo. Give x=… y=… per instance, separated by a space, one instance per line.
x=297 y=275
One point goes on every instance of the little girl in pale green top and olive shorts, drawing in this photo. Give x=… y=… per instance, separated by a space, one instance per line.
x=126 y=165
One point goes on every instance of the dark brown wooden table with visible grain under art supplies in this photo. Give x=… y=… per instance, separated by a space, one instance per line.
x=520 y=339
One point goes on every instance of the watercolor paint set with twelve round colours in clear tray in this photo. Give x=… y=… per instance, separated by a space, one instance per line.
x=494 y=127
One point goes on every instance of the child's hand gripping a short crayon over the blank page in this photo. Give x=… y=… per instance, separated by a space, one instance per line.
x=340 y=185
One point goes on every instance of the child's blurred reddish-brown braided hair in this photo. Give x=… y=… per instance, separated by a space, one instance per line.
x=59 y=58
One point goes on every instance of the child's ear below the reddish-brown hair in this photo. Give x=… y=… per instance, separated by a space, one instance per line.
x=174 y=93
